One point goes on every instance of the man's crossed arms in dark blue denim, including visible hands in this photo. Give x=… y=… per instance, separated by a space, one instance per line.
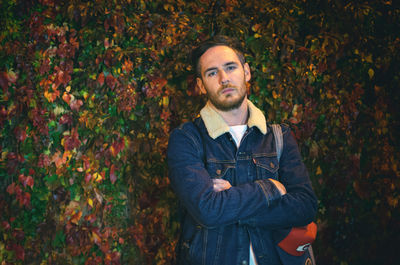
x=214 y=202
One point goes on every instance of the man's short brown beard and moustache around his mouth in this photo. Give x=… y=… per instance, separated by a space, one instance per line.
x=228 y=105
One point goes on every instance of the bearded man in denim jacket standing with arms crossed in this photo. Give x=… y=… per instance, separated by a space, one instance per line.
x=223 y=166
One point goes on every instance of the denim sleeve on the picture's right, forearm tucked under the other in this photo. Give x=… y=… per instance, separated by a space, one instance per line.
x=298 y=206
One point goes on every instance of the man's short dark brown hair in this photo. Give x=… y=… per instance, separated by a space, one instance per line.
x=217 y=40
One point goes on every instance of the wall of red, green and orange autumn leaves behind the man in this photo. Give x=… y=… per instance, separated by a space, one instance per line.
x=91 y=89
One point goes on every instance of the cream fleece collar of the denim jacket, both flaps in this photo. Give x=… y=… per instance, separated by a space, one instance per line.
x=216 y=126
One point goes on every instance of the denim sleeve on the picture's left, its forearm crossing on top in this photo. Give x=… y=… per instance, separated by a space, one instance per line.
x=193 y=186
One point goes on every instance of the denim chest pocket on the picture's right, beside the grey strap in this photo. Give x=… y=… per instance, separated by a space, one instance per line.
x=266 y=166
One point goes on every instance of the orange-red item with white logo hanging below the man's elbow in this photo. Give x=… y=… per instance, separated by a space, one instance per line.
x=299 y=239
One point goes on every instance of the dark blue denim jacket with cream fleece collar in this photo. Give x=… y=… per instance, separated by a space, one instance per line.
x=217 y=227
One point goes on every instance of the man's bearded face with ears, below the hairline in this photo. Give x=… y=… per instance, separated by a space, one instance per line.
x=223 y=77
